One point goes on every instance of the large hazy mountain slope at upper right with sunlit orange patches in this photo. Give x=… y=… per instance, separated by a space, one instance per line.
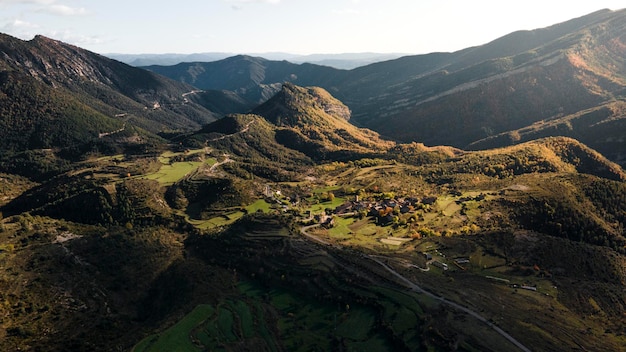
x=508 y=84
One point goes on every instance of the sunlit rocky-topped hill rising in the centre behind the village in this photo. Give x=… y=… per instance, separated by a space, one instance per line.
x=296 y=127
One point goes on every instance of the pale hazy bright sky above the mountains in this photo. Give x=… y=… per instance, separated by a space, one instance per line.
x=294 y=26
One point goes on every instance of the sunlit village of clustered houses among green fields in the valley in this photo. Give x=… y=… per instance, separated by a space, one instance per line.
x=387 y=211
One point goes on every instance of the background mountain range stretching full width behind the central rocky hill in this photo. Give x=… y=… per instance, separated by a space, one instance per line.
x=567 y=79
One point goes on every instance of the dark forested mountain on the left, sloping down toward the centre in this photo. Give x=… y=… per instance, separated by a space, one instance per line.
x=59 y=102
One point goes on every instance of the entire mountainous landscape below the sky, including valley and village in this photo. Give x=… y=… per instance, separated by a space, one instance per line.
x=451 y=201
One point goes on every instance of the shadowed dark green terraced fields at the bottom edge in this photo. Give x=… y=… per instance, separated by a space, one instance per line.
x=297 y=323
